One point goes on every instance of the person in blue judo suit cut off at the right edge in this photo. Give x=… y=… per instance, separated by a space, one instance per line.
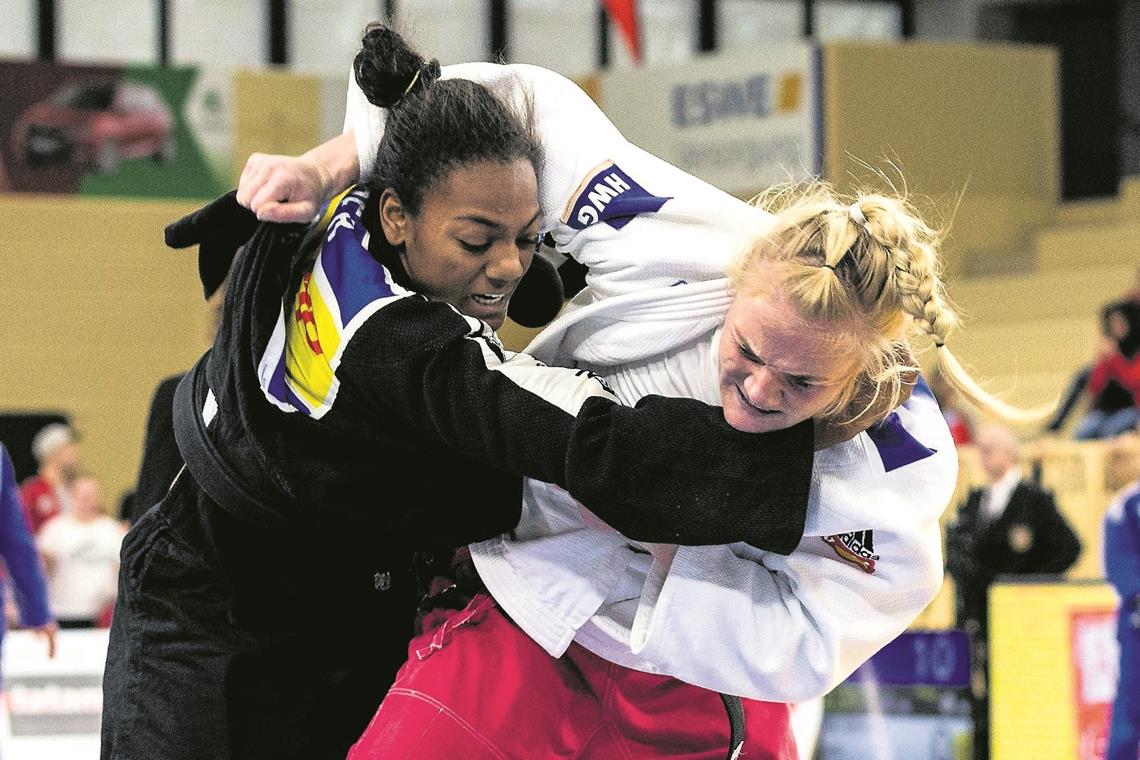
x=1122 y=570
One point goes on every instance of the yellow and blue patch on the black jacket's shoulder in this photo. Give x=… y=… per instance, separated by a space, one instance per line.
x=337 y=295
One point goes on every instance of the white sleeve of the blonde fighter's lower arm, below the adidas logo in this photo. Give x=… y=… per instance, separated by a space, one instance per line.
x=786 y=630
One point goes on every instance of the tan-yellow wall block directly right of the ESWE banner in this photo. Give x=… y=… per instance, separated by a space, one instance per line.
x=973 y=126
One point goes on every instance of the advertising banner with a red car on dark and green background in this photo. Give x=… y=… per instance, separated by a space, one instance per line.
x=110 y=130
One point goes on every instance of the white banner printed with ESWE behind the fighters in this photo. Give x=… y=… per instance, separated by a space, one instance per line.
x=740 y=122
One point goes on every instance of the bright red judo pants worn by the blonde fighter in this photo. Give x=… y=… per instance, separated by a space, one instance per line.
x=477 y=688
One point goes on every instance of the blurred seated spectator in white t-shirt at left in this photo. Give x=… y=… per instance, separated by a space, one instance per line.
x=80 y=551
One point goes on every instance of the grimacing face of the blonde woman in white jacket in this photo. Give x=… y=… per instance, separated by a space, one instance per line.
x=777 y=370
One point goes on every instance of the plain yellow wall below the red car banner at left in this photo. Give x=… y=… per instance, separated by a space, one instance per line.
x=103 y=312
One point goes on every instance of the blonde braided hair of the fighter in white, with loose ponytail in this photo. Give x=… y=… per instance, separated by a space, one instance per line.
x=869 y=266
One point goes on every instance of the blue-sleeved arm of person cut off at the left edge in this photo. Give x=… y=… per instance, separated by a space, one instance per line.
x=19 y=554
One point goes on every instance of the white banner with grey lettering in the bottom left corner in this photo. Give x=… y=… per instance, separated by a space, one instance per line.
x=52 y=708
